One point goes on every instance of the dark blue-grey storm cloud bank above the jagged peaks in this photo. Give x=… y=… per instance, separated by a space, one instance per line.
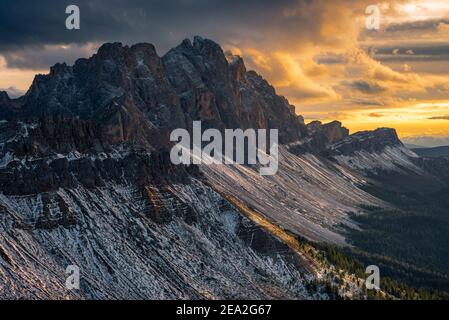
x=28 y=28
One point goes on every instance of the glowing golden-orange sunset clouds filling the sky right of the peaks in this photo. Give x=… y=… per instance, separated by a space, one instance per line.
x=321 y=57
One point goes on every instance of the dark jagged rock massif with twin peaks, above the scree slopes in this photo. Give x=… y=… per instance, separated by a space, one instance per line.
x=130 y=94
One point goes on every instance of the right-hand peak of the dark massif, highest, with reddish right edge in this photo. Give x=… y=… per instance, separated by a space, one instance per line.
x=217 y=89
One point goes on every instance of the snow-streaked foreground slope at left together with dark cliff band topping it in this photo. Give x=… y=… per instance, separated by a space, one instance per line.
x=137 y=227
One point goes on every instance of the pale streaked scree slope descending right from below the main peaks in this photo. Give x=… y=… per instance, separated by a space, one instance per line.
x=309 y=195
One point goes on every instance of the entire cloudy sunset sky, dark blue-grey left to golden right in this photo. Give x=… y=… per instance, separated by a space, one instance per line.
x=319 y=54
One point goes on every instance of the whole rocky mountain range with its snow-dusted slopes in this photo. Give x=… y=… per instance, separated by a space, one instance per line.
x=86 y=180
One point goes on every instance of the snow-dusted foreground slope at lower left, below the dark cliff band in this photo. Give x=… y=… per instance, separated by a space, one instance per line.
x=176 y=241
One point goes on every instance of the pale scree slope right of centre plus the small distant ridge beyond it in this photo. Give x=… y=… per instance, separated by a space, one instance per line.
x=313 y=194
